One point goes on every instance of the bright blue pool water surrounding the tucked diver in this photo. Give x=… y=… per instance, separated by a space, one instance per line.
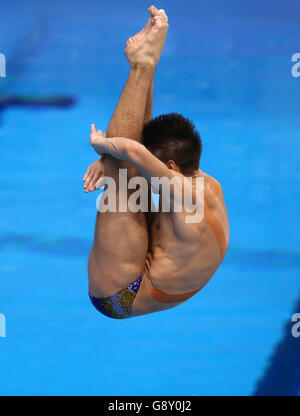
x=227 y=65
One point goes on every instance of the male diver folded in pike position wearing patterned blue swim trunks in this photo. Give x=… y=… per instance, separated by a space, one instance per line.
x=146 y=262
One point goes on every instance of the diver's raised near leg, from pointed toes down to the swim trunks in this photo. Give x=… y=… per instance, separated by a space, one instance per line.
x=121 y=238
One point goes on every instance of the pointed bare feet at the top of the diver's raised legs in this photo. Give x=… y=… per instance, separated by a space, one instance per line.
x=146 y=47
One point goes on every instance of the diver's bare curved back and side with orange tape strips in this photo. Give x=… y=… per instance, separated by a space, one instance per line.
x=180 y=264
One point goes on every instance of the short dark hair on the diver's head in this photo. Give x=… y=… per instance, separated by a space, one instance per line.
x=174 y=137
